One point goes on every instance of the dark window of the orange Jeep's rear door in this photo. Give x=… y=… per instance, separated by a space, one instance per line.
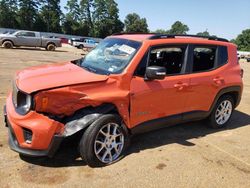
x=203 y=58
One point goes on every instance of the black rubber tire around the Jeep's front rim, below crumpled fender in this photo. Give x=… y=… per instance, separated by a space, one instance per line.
x=88 y=141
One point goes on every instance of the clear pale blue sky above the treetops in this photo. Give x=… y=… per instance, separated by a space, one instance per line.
x=223 y=18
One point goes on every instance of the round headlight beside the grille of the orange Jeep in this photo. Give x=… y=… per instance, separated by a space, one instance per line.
x=21 y=101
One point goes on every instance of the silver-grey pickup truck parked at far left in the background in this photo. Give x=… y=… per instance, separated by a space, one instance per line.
x=30 y=39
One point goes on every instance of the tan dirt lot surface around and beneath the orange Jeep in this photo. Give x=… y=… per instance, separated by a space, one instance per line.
x=188 y=155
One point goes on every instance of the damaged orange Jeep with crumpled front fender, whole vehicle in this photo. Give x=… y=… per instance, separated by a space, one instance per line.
x=130 y=83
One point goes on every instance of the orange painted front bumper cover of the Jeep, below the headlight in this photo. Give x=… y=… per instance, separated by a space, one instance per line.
x=43 y=128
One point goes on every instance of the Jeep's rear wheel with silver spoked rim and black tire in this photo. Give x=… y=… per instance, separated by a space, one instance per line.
x=220 y=116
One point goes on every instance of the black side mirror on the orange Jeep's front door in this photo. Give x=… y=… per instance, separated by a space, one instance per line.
x=155 y=73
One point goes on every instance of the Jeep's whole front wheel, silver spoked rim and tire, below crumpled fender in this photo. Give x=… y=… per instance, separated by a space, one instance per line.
x=96 y=154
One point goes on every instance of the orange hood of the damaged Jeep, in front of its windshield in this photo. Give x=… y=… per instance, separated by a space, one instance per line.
x=52 y=76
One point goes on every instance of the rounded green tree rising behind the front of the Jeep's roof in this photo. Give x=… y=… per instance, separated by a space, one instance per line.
x=133 y=23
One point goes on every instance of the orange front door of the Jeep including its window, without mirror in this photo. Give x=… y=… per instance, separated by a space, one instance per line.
x=151 y=100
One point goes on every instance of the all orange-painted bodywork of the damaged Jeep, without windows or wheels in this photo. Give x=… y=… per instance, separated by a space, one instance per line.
x=146 y=100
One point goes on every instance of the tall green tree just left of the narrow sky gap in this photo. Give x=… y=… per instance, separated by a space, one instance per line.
x=51 y=15
